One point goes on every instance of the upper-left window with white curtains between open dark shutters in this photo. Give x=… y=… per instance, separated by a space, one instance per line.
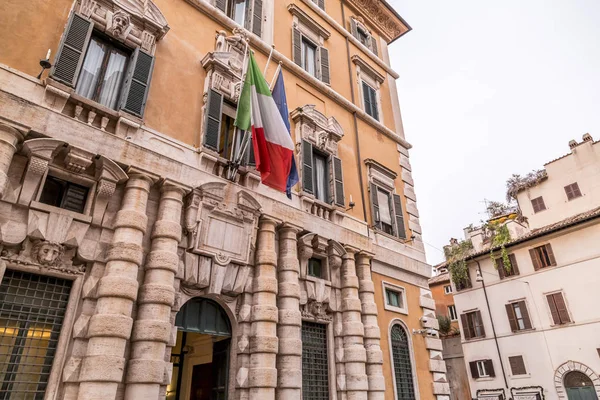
x=102 y=73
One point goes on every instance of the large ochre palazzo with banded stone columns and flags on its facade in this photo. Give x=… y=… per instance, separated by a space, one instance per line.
x=133 y=269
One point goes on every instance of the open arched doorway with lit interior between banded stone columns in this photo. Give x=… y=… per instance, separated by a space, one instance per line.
x=201 y=355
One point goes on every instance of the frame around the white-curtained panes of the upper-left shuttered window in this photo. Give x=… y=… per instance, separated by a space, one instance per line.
x=111 y=44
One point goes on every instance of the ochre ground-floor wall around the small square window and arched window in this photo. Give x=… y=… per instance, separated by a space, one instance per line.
x=421 y=354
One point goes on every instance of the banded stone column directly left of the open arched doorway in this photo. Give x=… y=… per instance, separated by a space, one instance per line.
x=152 y=328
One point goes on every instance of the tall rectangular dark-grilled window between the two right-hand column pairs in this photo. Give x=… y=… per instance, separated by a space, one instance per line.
x=315 y=368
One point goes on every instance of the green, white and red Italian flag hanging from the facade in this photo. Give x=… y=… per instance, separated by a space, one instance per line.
x=273 y=145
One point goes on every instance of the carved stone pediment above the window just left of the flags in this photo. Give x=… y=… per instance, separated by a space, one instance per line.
x=224 y=65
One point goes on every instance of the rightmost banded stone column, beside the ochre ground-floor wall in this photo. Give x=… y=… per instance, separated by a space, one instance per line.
x=372 y=339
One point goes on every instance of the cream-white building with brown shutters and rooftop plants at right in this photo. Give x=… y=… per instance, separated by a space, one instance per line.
x=530 y=331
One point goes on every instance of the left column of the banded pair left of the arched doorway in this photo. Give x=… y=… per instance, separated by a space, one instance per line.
x=110 y=327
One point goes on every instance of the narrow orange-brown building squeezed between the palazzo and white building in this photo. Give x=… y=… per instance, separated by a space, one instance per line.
x=443 y=294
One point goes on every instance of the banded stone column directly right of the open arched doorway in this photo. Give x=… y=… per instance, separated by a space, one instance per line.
x=262 y=378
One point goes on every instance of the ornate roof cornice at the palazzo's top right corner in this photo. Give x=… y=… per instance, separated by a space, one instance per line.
x=383 y=18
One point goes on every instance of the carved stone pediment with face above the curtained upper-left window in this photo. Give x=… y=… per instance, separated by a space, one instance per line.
x=138 y=23
